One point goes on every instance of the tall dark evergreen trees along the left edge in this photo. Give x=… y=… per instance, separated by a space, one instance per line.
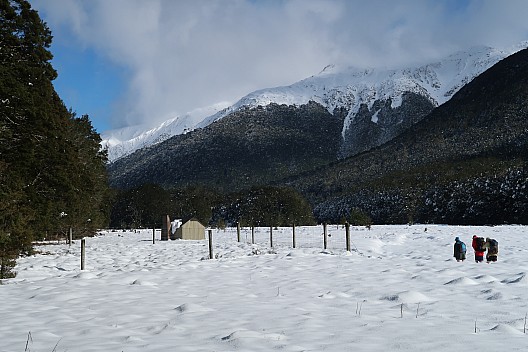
x=52 y=170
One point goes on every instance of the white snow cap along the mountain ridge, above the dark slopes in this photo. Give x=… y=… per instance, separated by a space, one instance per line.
x=337 y=87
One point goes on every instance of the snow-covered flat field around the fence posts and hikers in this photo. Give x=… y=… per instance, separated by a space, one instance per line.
x=397 y=289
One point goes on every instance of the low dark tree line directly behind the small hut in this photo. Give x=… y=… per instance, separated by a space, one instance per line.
x=144 y=206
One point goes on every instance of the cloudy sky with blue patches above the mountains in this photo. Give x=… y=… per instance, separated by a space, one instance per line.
x=141 y=62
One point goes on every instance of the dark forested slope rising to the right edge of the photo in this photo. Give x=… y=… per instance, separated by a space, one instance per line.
x=464 y=163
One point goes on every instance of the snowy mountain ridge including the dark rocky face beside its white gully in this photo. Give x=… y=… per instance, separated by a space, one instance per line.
x=374 y=96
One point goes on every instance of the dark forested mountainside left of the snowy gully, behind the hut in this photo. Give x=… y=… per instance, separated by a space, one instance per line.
x=250 y=147
